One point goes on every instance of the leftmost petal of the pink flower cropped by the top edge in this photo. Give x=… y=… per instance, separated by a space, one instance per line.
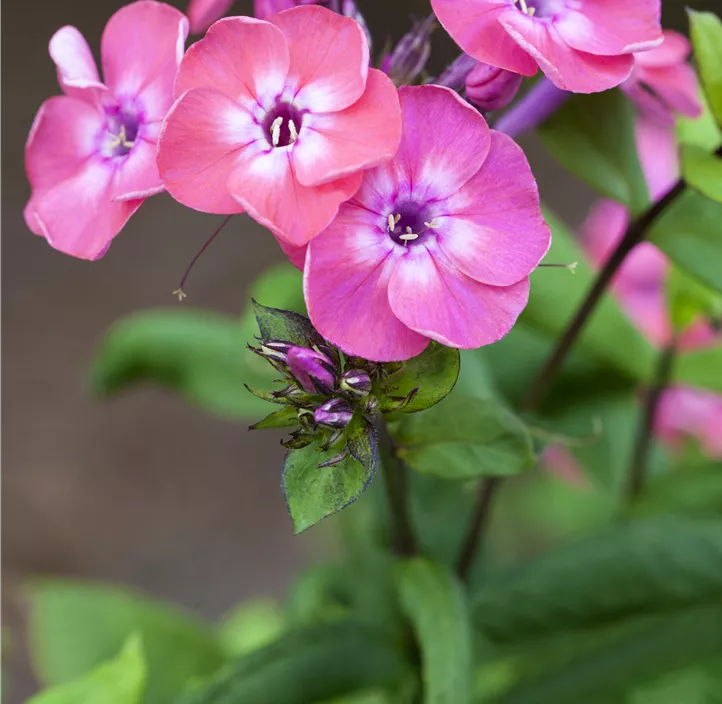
x=475 y=27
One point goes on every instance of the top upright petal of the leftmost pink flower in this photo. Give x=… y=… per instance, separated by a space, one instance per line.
x=141 y=48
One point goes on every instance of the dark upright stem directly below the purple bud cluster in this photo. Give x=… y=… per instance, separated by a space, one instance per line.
x=394 y=471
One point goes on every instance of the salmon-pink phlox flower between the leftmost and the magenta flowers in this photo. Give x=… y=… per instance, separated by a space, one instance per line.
x=278 y=119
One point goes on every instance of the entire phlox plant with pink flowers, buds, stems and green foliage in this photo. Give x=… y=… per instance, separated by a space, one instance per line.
x=516 y=427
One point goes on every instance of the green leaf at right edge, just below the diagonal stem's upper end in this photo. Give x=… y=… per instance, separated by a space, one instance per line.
x=688 y=231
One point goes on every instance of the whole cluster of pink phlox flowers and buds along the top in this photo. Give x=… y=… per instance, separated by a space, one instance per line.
x=411 y=219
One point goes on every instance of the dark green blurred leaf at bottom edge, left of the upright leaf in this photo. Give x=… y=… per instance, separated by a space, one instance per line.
x=308 y=665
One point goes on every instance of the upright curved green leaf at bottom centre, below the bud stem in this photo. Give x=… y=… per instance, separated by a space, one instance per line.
x=435 y=604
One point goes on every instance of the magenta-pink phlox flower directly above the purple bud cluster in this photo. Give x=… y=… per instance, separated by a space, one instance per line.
x=437 y=244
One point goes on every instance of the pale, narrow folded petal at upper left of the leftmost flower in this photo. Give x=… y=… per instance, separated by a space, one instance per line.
x=77 y=73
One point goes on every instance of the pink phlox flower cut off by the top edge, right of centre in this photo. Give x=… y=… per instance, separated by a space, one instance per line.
x=583 y=46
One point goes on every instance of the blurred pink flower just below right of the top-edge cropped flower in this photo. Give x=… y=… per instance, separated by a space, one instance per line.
x=662 y=83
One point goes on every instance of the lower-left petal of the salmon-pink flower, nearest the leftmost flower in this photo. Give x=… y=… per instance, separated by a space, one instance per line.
x=199 y=147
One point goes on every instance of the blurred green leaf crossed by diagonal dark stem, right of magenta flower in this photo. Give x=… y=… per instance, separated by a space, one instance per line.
x=556 y=294
